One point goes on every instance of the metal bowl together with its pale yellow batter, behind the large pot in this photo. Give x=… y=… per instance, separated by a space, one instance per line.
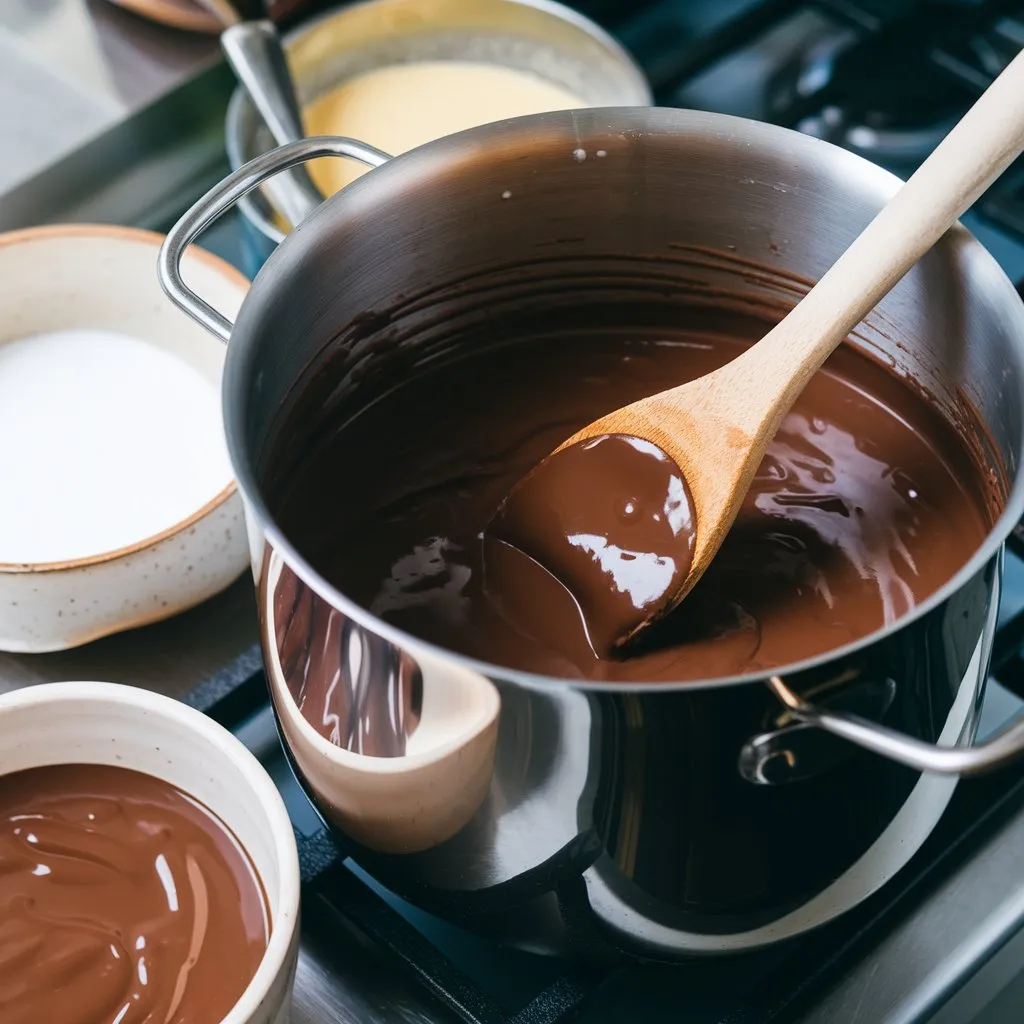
x=398 y=74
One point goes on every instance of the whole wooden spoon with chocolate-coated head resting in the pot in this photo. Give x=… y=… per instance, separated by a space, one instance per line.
x=718 y=428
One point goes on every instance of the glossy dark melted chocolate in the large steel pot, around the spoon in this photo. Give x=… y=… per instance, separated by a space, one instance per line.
x=867 y=503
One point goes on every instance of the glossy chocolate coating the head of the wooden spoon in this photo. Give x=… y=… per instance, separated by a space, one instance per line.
x=611 y=519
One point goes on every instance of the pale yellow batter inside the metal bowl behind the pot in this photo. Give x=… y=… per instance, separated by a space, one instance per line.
x=404 y=106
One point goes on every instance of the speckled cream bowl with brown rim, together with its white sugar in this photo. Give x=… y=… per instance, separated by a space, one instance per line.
x=119 y=504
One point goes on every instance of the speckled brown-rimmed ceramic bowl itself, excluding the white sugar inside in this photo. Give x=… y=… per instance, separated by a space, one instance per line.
x=102 y=278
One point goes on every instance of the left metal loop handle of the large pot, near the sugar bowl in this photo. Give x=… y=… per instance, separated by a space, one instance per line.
x=223 y=197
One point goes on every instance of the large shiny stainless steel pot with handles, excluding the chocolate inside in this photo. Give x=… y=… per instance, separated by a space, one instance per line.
x=712 y=817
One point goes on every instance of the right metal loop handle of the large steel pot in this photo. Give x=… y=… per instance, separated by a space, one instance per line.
x=1006 y=746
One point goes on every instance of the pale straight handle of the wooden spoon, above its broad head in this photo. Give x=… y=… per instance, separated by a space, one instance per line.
x=963 y=166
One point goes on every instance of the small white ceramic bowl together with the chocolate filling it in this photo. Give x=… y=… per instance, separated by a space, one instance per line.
x=150 y=869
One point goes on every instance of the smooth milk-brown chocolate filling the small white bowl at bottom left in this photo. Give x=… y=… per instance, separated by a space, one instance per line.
x=121 y=900
